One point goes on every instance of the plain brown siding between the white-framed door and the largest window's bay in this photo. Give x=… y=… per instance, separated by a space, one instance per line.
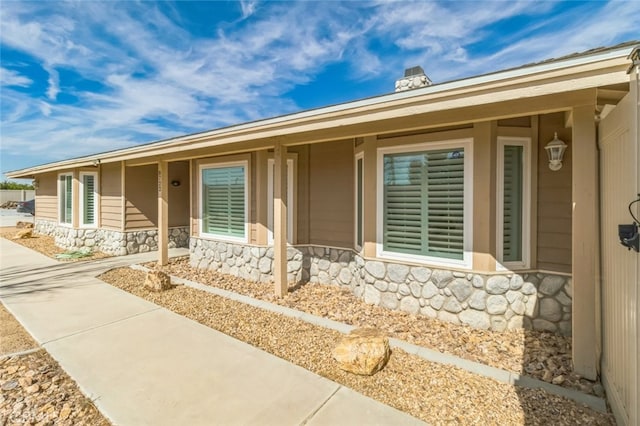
x=331 y=194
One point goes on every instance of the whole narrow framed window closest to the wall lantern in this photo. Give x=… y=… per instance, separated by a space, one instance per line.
x=513 y=192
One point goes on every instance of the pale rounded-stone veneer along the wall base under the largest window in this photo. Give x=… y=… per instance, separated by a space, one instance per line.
x=538 y=301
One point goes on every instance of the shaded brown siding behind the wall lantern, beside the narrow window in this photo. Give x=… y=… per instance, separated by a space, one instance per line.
x=554 y=199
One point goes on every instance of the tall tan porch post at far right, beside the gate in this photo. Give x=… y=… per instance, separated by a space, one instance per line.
x=584 y=246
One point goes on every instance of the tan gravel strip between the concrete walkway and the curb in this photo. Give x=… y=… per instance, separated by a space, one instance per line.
x=435 y=393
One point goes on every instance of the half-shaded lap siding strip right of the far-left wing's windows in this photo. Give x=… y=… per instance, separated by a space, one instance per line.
x=110 y=196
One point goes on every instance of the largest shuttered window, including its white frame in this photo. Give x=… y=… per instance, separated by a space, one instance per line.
x=425 y=207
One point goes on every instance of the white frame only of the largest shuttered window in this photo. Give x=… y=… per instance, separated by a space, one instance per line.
x=467 y=256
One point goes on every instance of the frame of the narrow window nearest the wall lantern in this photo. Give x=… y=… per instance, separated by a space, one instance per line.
x=525 y=143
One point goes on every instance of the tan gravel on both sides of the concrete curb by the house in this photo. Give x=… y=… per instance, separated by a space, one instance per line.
x=435 y=393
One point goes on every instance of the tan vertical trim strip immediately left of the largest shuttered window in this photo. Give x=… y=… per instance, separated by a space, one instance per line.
x=370 y=164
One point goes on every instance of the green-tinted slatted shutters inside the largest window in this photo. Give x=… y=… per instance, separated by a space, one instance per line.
x=424 y=203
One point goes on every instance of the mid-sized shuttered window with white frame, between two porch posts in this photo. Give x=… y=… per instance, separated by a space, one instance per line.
x=224 y=198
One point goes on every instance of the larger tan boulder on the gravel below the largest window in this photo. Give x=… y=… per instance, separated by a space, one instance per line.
x=364 y=351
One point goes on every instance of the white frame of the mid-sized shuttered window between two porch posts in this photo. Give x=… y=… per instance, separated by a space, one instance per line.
x=247 y=201
